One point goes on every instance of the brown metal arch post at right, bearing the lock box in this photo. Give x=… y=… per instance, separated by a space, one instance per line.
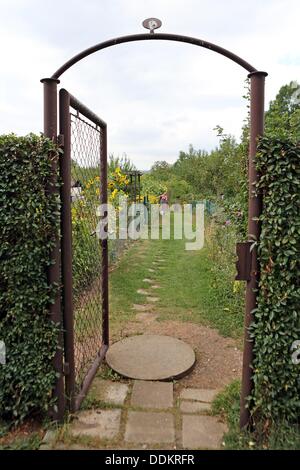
x=255 y=207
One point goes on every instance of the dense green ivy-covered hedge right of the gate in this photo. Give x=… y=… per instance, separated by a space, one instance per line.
x=277 y=317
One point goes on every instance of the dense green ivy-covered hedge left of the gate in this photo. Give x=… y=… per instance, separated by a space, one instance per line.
x=29 y=224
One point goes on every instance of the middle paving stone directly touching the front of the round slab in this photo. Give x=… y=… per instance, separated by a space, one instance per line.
x=147 y=394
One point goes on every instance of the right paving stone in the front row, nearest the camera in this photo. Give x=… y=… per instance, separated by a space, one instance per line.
x=202 y=432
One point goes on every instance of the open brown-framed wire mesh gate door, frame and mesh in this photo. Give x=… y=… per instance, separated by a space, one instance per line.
x=84 y=254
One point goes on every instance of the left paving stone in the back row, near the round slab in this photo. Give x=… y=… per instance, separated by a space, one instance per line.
x=109 y=392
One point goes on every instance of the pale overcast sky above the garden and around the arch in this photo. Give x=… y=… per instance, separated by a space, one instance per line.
x=157 y=97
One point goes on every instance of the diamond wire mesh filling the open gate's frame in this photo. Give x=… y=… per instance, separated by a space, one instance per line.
x=86 y=246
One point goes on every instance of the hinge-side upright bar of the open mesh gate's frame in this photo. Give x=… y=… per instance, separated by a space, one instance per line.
x=66 y=245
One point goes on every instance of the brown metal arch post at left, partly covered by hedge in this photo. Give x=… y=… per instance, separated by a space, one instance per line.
x=50 y=130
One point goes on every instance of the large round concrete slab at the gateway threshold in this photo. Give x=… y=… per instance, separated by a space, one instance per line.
x=151 y=357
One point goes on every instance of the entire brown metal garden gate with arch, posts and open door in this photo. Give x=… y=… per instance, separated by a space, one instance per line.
x=79 y=373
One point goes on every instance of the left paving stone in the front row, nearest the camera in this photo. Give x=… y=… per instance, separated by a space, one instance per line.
x=104 y=424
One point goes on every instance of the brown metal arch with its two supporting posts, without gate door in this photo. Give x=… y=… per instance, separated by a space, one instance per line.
x=257 y=81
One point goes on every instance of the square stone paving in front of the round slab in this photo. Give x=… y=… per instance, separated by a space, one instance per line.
x=147 y=414
